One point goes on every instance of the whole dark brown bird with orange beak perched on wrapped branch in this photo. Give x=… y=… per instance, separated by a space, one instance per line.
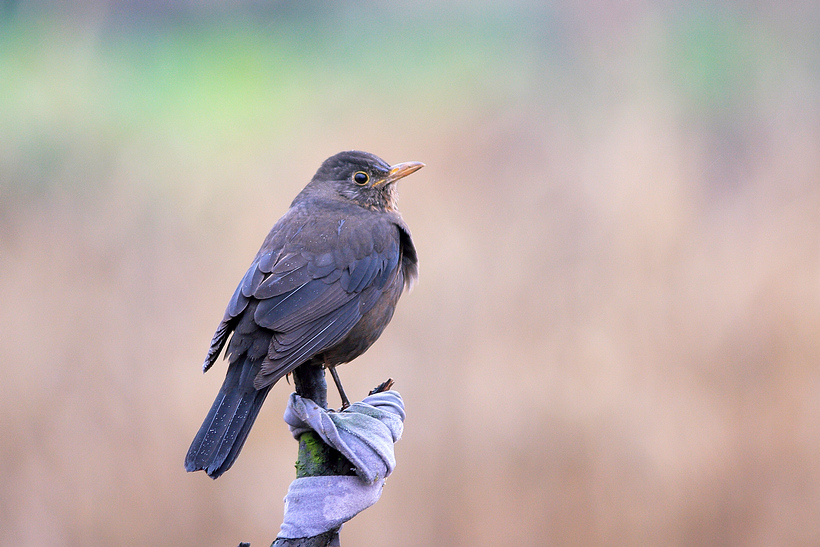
x=320 y=291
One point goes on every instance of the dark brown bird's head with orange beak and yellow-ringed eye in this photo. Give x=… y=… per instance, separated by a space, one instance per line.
x=363 y=178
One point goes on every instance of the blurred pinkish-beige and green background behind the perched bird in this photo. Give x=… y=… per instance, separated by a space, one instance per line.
x=616 y=334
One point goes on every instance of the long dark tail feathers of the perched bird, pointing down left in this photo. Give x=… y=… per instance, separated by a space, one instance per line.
x=219 y=440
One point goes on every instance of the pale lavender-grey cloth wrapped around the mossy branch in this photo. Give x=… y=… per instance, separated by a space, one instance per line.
x=364 y=433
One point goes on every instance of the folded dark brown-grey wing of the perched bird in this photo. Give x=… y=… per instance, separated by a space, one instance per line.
x=311 y=287
